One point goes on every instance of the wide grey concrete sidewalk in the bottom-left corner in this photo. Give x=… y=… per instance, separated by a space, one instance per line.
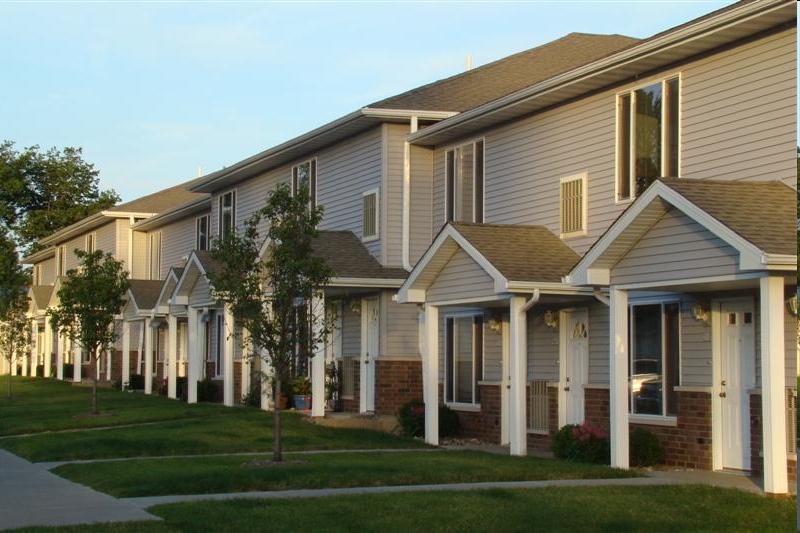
x=32 y=496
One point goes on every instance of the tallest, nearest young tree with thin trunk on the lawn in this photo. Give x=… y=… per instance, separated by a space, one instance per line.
x=273 y=297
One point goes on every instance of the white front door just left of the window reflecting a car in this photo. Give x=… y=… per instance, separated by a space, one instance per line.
x=575 y=365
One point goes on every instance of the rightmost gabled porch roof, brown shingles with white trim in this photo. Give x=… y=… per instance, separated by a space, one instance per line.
x=755 y=218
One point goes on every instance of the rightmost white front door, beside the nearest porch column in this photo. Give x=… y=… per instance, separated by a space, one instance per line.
x=737 y=371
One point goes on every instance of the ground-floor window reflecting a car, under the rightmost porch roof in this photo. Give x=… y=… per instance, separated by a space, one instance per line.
x=655 y=358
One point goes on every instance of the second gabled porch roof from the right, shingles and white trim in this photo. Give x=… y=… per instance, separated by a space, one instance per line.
x=517 y=258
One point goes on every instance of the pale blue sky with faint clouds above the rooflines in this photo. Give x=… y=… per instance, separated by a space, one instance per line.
x=154 y=91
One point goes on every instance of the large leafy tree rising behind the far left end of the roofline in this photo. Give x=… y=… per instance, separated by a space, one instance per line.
x=42 y=192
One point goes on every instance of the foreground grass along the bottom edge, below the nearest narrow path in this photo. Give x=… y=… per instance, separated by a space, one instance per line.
x=685 y=508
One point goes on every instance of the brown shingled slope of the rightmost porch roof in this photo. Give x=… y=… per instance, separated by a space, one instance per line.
x=763 y=212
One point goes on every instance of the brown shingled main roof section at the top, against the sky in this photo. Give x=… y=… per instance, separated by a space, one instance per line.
x=494 y=80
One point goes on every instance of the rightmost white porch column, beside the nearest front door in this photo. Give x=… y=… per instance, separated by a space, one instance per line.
x=773 y=385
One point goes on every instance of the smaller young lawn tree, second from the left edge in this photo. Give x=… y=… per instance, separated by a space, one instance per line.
x=90 y=297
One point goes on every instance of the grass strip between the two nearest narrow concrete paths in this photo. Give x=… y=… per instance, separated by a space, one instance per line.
x=237 y=474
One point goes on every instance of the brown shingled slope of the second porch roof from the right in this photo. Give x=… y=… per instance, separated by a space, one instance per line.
x=521 y=253
